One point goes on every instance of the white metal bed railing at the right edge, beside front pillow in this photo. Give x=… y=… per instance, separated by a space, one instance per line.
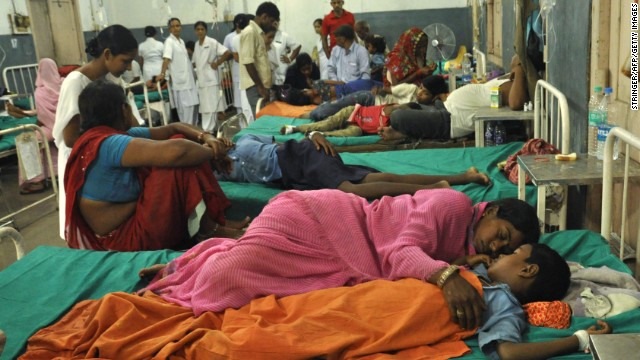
x=606 y=229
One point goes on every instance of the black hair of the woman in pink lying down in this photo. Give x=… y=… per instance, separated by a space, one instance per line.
x=521 y=215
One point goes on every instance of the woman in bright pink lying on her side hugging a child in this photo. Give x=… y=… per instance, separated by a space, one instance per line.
x=327 y=238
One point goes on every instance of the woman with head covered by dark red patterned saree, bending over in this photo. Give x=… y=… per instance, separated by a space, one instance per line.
x=407 y=62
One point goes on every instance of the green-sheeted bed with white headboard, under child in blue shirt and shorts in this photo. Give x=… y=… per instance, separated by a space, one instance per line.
x=550 y=123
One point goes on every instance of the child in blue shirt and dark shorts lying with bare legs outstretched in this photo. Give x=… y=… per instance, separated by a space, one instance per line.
x=314 y=163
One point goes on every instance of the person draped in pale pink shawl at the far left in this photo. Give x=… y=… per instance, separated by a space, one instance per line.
x=48 y=82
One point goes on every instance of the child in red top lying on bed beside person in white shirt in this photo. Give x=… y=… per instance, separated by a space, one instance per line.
x=352 y=120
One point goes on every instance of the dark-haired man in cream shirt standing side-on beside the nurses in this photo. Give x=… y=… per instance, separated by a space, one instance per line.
x=255 y=69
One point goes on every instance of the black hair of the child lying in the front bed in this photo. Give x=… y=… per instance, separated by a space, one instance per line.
x=553 y=277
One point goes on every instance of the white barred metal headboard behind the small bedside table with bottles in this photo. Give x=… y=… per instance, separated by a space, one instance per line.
x=551 y=116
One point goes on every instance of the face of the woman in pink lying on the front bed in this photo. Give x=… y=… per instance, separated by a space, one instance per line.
x=494 y=236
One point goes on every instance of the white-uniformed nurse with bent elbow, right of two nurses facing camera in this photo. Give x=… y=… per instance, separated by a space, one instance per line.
x=208 y=55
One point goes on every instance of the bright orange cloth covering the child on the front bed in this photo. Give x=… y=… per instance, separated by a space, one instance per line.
x=367 y=321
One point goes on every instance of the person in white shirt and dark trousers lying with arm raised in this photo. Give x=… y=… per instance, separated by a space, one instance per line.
x=452 y=114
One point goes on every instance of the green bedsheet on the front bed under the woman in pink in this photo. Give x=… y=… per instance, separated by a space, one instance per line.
x=38 y=289
